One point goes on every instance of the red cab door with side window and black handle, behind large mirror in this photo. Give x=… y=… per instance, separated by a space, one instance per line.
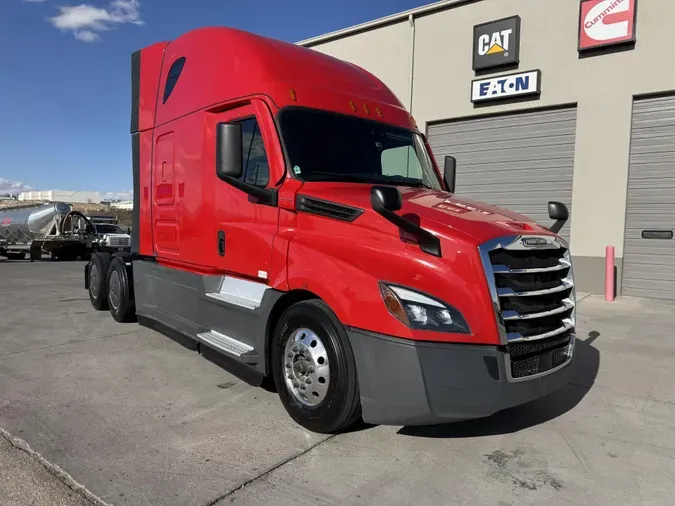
x=245 y=229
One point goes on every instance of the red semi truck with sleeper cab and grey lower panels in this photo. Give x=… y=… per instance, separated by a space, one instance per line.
x=290 y=223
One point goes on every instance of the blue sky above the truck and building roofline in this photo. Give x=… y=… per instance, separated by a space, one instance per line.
x=65 y=84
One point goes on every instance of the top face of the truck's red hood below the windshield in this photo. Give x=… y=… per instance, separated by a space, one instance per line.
x=440 y=212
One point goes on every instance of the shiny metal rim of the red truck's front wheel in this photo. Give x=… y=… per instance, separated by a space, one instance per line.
x=305 y=367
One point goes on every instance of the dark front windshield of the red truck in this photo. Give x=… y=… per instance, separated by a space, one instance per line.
x=324 y=146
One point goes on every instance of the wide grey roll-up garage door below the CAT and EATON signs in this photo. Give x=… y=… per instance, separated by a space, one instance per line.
x=517 y=161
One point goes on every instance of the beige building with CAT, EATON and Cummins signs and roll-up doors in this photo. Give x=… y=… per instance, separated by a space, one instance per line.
x=546 y=100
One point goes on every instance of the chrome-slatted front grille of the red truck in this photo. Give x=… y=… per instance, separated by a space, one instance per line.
x=532 y=288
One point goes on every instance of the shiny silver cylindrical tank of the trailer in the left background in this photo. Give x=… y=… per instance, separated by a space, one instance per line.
x=25 y=224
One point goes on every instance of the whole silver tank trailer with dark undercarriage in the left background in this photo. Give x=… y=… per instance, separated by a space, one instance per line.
x=52 y=228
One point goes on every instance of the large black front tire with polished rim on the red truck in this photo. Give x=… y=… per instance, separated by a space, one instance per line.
x=324 y=409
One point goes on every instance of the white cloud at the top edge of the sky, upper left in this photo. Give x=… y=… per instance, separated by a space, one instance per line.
x=86 y=21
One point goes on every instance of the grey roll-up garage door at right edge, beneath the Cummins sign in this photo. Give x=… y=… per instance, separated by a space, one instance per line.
x=649 y=249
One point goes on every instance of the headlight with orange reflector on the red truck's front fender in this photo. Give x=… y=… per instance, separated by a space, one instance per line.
x=421 y=312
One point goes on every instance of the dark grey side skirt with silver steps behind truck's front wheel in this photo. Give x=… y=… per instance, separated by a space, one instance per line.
x=226 y=317
